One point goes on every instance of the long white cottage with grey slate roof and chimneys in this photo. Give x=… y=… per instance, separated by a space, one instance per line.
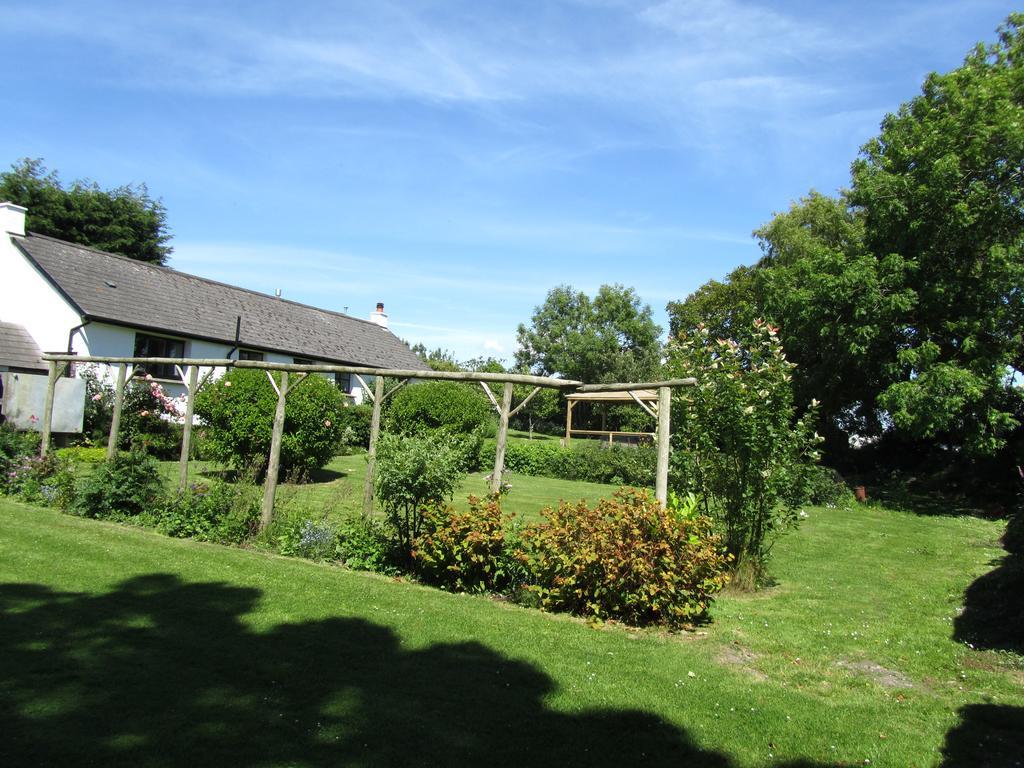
x=75 y=300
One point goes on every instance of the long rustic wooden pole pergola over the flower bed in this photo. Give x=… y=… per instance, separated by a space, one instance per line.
x=189 y=371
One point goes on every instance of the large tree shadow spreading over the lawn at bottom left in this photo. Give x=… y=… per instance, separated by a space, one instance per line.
x=161 y=672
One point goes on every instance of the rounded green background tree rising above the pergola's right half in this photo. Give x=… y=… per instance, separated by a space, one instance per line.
x=612 y=337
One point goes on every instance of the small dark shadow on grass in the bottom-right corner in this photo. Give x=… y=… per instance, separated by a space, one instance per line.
x=989 y=737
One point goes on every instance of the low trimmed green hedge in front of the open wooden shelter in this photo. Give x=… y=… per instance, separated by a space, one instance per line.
x=616 y=465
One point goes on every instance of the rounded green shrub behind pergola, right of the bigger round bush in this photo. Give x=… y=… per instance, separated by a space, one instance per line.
x=426 y=407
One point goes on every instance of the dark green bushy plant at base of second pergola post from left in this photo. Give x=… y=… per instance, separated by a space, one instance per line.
x=127 y=487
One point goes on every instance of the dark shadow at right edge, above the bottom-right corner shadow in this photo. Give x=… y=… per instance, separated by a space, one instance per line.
x=994 y=605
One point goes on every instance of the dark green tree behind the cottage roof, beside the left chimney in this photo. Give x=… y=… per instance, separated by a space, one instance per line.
x=124 y=221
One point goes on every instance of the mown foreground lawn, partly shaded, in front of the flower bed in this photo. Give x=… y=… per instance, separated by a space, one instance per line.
x=119 y=647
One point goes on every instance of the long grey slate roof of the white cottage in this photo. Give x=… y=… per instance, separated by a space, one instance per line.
x=115 y=289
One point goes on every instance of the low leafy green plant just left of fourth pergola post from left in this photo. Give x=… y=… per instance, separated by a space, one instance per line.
x=222 y=513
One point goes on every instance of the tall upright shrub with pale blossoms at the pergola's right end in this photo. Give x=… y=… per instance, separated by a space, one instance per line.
x=738 y=441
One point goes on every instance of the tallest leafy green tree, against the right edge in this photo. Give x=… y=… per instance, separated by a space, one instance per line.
x=943 y=190
